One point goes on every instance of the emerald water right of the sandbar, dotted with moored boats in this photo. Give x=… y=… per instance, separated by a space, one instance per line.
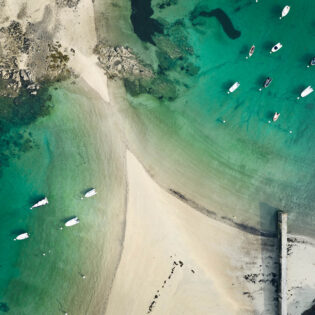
x=247 y=168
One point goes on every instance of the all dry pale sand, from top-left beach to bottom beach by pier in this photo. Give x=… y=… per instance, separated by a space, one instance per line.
x=161 y=230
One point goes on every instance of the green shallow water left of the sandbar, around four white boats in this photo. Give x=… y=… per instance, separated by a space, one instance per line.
x=70 y=154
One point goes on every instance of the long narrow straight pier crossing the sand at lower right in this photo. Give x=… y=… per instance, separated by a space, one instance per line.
x=282 y=238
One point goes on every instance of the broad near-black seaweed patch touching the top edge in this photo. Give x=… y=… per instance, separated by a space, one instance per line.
x=143 y=25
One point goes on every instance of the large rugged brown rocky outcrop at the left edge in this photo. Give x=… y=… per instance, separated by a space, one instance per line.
x=18 y=66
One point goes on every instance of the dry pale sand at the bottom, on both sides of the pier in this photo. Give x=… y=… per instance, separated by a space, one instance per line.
x=161 y=229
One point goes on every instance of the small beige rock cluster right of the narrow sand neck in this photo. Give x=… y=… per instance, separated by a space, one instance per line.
x=121 y=62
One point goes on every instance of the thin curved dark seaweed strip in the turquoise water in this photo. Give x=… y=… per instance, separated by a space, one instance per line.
x=221 y=16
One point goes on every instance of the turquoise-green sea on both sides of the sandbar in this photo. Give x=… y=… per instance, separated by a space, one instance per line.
x=243 y=169
